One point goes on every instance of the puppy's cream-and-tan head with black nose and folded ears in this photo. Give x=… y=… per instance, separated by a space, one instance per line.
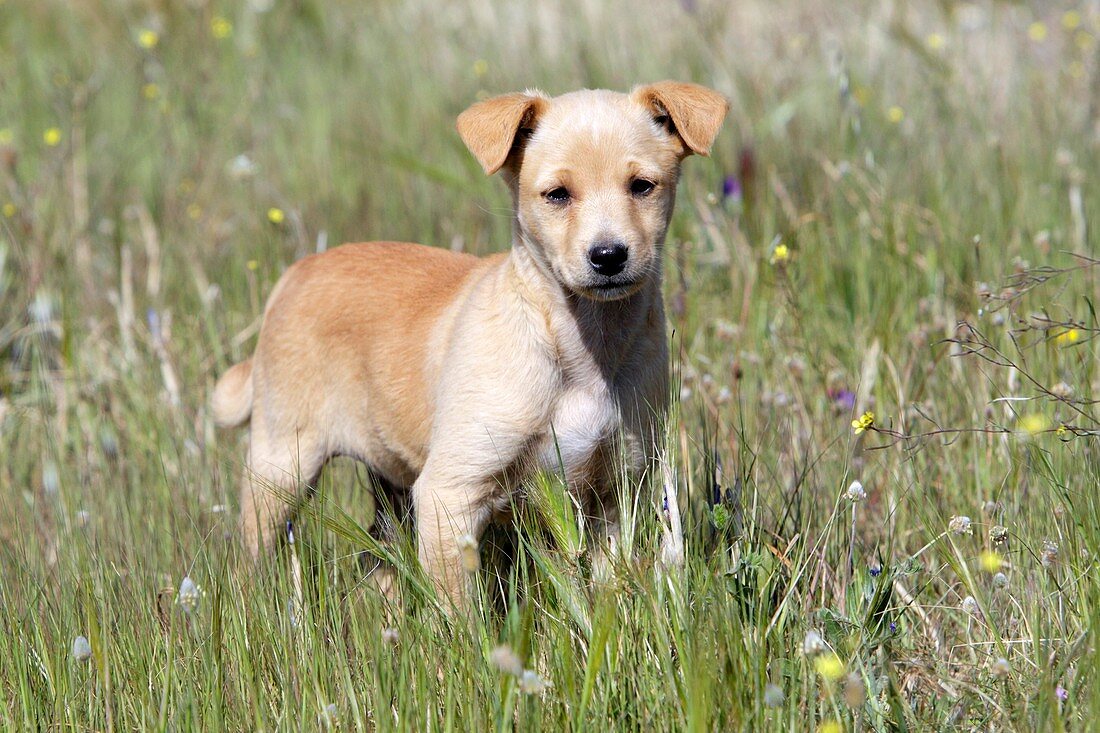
x=595 y=173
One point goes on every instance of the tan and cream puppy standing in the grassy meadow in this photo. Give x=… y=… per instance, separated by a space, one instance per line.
x=455 y=377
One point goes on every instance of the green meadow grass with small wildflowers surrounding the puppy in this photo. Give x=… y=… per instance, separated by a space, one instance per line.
x=931 y=173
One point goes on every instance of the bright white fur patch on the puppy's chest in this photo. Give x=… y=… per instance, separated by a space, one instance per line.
x=584 y=420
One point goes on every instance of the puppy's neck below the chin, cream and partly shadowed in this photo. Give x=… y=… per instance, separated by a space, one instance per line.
x=586 y=333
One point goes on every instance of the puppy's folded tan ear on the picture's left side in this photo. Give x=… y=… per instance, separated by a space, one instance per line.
x=494 y=128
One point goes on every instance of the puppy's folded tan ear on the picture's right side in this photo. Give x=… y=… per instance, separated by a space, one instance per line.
x=696 y=112
